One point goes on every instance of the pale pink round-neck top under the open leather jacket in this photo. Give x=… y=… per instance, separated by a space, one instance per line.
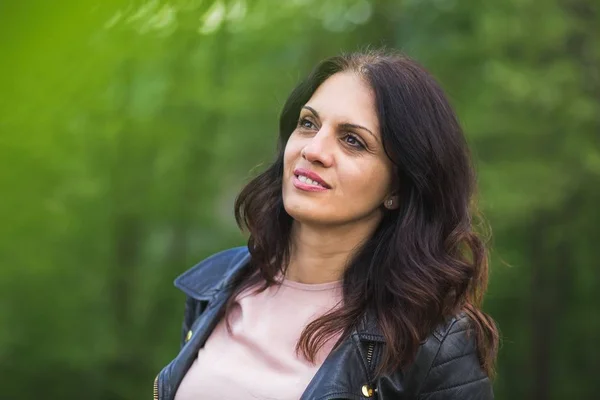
x=259 y=360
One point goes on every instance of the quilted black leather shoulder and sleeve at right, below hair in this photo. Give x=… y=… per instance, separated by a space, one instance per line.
x=452 y=367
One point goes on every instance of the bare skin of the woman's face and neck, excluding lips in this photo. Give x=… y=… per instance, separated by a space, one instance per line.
x=328 y=225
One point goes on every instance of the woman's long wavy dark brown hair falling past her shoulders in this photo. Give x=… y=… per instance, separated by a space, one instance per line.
x=424 y=263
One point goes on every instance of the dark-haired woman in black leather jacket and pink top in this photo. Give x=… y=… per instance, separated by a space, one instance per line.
x=362 y=277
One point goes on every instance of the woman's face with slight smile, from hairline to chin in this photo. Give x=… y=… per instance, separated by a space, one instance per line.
x=335 y=168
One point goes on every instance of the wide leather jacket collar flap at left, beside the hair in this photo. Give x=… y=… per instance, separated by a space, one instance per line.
x=204 y=279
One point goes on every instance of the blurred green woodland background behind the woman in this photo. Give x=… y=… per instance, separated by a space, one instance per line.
x=128 y=127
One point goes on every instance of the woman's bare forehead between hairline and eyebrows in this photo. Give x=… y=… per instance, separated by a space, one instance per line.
x=346 y=97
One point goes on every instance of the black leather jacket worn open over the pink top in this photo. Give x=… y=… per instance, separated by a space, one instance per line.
x=446 y=366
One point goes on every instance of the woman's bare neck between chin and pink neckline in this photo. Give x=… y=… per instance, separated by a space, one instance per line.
x=321 y=254
